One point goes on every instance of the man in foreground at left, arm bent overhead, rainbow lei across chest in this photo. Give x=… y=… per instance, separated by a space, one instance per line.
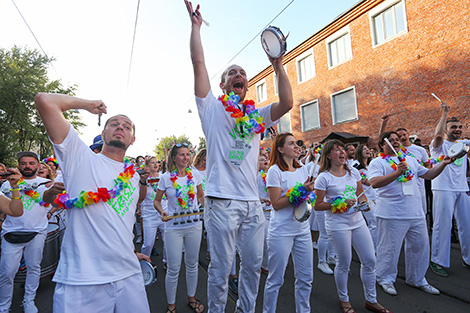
x=98 y=269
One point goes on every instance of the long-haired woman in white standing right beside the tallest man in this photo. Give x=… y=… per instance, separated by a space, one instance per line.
x=285 y=234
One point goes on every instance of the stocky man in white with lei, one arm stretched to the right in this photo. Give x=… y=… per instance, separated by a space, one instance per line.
x=399 y=215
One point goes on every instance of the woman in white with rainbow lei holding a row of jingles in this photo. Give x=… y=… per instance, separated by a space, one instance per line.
x=182 y=189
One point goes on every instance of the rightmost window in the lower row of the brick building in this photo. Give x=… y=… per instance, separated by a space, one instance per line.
x=344 y=106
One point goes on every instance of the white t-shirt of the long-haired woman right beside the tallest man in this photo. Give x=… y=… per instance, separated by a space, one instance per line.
x=282 y=221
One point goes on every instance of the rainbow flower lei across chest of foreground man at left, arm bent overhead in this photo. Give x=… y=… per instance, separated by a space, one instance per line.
x=64 y=200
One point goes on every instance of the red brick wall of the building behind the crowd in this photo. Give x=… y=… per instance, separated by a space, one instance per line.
x=434 y=56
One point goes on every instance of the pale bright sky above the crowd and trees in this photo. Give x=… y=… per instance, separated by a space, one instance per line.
x=91 y=41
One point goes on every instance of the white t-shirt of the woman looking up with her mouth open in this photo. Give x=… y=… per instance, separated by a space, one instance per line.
x=345 y=187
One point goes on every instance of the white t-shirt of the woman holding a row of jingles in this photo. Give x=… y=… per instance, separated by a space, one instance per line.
x=166 y=185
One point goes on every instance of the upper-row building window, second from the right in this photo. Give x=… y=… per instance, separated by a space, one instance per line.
x=339 y=47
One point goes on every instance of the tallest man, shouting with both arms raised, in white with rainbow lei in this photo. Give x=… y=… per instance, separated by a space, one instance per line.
x=234 y=214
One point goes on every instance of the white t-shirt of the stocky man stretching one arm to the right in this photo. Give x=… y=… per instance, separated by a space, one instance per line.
x=391 y=201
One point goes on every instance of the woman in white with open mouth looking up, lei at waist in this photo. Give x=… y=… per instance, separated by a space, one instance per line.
x=336 y=188
